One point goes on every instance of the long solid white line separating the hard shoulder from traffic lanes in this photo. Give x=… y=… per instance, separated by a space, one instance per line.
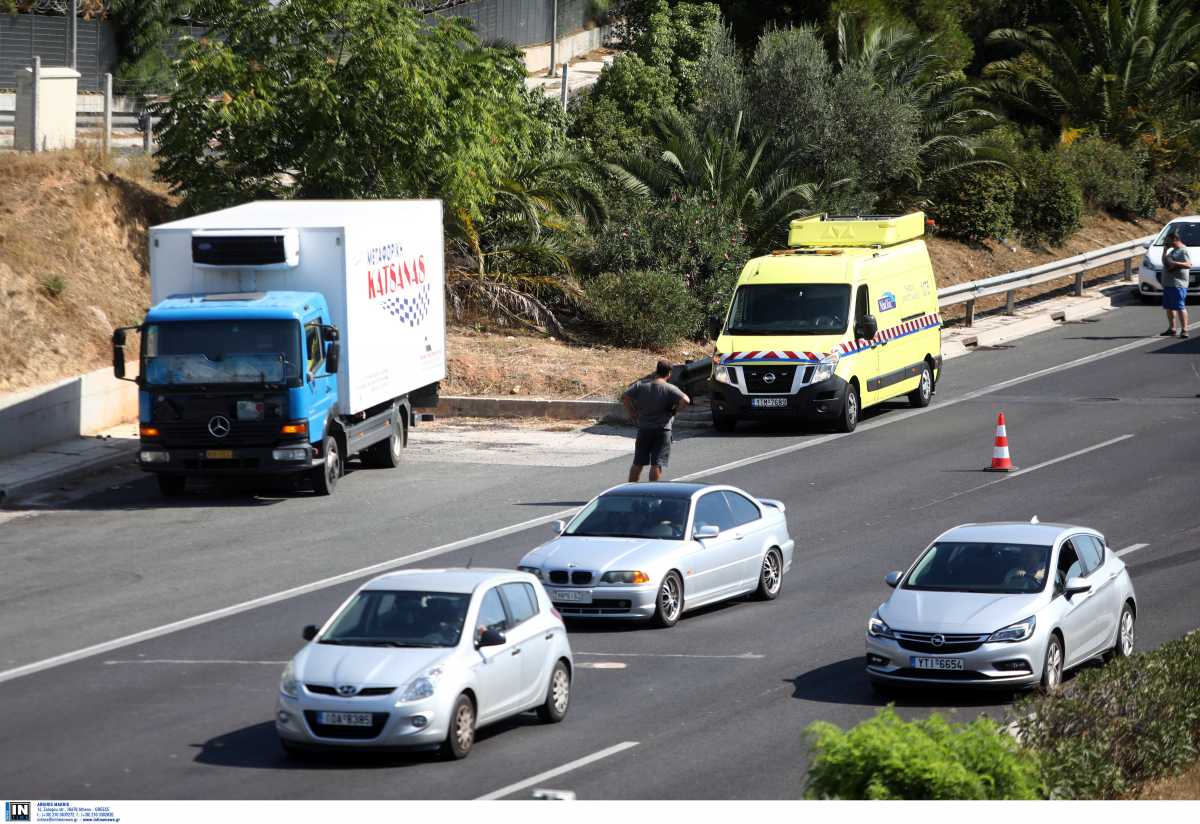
x=254 y=604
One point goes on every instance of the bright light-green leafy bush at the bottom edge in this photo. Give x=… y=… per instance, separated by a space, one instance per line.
x=890 y=759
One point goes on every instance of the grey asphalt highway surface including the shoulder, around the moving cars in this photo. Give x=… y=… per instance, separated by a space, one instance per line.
x=717 y=707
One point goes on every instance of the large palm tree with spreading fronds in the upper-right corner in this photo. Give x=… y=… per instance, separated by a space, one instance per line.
x=1125 y=73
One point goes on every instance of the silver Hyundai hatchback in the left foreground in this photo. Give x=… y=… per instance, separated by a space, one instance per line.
x=421 y=659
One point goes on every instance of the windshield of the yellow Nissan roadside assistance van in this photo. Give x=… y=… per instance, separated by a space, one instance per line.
x=790 y=309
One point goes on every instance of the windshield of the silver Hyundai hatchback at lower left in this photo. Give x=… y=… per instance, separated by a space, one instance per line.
x=388 y=618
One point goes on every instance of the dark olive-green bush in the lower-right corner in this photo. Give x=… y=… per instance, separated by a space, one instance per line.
x=1112 y=729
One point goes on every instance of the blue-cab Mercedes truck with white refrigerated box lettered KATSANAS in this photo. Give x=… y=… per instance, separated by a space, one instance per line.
x=287 y=338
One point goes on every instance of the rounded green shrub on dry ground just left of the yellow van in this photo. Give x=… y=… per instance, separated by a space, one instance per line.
x=644 y=309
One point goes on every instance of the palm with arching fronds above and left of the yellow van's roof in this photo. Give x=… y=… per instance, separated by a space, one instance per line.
x=754 y=179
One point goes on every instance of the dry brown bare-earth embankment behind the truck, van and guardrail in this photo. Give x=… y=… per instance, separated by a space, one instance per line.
x=74 y=267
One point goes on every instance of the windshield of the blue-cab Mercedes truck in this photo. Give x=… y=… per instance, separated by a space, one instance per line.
x=221 y=352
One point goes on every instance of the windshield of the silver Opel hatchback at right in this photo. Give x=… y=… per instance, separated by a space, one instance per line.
x=956 y=567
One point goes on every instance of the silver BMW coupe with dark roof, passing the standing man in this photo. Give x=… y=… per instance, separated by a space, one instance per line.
x=653 y=551
